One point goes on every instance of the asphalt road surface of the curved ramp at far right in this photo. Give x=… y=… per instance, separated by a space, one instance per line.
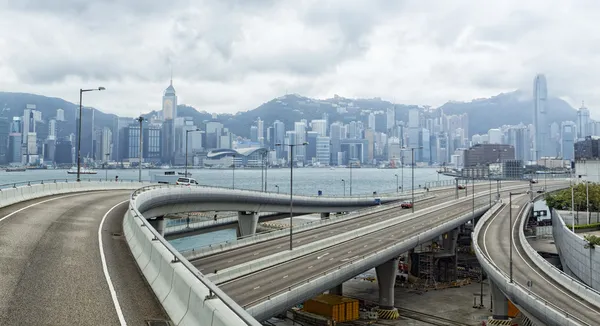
x=495 y=243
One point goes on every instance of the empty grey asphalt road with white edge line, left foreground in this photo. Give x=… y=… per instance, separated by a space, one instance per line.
x=50 y=266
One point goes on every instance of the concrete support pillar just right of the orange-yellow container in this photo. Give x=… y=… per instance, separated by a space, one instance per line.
x=386 y=278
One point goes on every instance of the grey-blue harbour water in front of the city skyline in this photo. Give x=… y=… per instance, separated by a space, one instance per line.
x=307 y=181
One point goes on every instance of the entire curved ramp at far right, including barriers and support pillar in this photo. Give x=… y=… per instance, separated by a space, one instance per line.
x=540 y=292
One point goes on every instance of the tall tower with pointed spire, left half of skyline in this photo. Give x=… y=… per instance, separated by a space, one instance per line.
x=169 y=113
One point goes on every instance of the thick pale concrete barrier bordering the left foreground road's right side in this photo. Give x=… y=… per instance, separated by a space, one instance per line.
x=187 y=296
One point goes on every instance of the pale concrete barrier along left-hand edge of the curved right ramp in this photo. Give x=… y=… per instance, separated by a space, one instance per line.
x=536 y=308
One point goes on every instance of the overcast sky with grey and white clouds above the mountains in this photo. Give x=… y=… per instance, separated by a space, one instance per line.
x=233 y=55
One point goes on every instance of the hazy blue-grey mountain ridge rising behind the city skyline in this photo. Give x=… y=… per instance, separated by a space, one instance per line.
x=484 y=113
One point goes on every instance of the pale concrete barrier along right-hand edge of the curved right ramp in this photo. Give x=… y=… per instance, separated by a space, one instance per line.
x=582 y=290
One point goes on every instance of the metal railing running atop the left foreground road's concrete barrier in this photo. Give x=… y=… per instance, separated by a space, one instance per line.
x=178 y=258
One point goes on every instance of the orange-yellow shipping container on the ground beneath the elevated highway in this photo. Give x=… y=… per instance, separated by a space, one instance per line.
x=336 y=307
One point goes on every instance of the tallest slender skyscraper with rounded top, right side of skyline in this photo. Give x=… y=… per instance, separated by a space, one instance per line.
x=540 y=120
